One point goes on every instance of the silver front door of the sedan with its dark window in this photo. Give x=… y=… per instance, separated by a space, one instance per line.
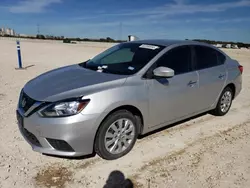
x=173 y=98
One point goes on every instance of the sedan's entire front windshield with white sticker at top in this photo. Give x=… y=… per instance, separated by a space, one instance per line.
x=124 y=59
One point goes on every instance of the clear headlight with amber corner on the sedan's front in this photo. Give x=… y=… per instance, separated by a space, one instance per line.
x=64 y=109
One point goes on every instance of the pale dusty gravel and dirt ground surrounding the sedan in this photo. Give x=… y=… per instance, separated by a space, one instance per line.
x=206 y=151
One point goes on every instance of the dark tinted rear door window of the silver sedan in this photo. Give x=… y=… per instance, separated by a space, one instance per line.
x=206 y=57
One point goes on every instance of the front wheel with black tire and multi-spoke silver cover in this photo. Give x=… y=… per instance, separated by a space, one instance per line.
x=122 y=139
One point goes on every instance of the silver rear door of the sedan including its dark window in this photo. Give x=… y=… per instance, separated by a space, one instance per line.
x=212 y=75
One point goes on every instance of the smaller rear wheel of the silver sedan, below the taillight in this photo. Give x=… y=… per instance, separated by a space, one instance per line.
x=219 y=110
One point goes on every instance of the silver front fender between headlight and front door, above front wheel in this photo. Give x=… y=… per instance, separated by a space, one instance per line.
x=133 y=92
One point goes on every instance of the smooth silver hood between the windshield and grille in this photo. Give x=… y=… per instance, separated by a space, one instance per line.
x=70 y=81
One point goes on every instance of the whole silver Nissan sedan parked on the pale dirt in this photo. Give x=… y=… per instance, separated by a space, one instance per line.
x=102 y=105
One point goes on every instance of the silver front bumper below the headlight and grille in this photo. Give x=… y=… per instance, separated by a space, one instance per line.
x=77 y=131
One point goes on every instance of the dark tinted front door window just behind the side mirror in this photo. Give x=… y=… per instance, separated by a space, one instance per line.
x=178 y=59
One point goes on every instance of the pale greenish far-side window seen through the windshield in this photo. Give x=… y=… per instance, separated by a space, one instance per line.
x=120 y=56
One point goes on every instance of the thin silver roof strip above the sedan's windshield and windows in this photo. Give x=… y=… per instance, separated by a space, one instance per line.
x=166 y=42
